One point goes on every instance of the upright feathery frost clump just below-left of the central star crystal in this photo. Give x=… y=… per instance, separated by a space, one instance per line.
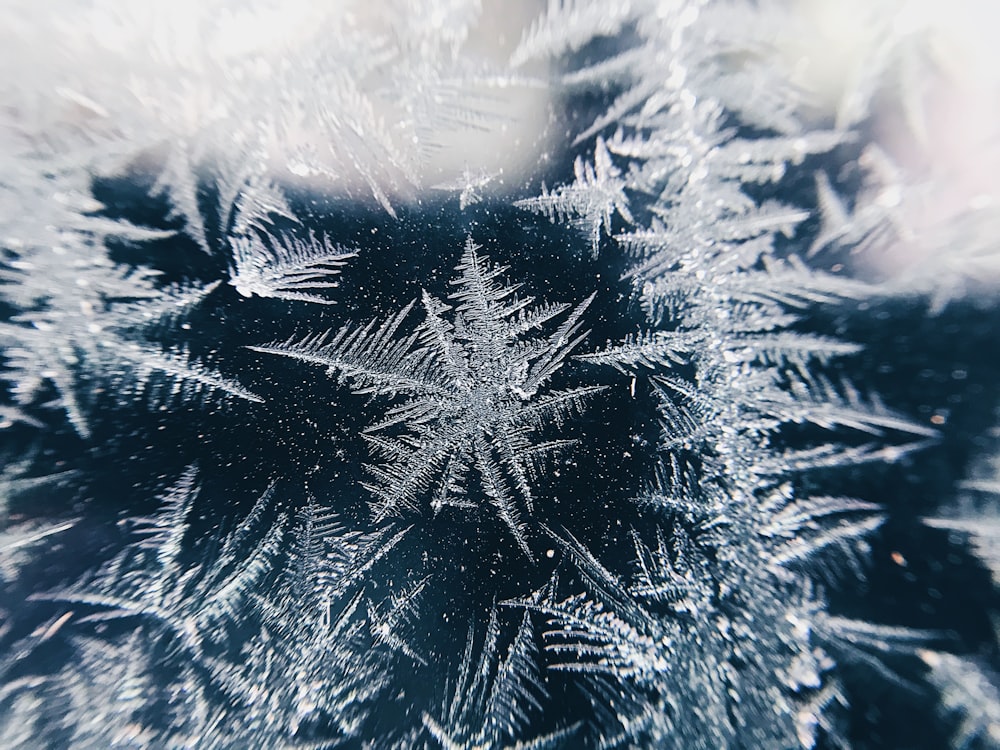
x=313 y=663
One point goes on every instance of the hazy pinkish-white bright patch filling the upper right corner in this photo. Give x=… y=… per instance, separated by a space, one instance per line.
x=926 y=77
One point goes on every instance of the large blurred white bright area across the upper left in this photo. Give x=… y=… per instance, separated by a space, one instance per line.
x=349 y=96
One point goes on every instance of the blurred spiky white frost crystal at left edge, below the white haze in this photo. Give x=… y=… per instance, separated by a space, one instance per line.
x=78 y=314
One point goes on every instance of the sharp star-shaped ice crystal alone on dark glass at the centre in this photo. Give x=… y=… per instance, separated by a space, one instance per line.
x=474 y=390
